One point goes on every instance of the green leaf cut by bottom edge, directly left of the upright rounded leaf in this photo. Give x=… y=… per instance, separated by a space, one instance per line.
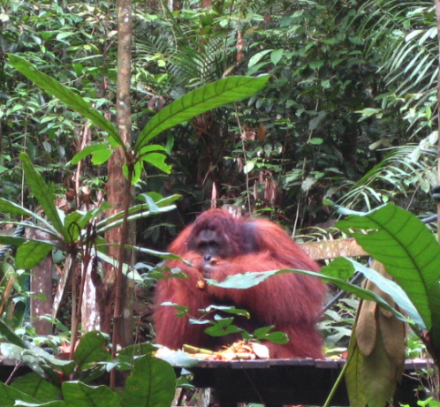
x=79 y=394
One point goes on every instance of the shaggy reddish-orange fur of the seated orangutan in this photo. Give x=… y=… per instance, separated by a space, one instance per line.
x=292 y=302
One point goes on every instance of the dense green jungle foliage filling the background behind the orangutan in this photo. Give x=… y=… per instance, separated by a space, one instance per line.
x=348 y=115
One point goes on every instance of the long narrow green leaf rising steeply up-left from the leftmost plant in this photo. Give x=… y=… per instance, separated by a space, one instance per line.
x=43 y=194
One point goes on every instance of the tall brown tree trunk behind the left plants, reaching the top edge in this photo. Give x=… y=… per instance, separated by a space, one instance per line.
x=115 y=288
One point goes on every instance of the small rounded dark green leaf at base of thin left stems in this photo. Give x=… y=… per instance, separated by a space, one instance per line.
x=92 y=348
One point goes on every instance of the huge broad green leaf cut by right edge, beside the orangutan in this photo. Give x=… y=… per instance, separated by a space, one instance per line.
x=407 y=249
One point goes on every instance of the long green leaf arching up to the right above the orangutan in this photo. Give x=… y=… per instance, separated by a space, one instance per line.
x=200 y=101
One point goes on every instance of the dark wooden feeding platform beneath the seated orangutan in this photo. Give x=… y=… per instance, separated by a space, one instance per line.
x=288 y=381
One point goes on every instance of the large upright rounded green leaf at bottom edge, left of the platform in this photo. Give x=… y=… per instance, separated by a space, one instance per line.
x=152 y=383
